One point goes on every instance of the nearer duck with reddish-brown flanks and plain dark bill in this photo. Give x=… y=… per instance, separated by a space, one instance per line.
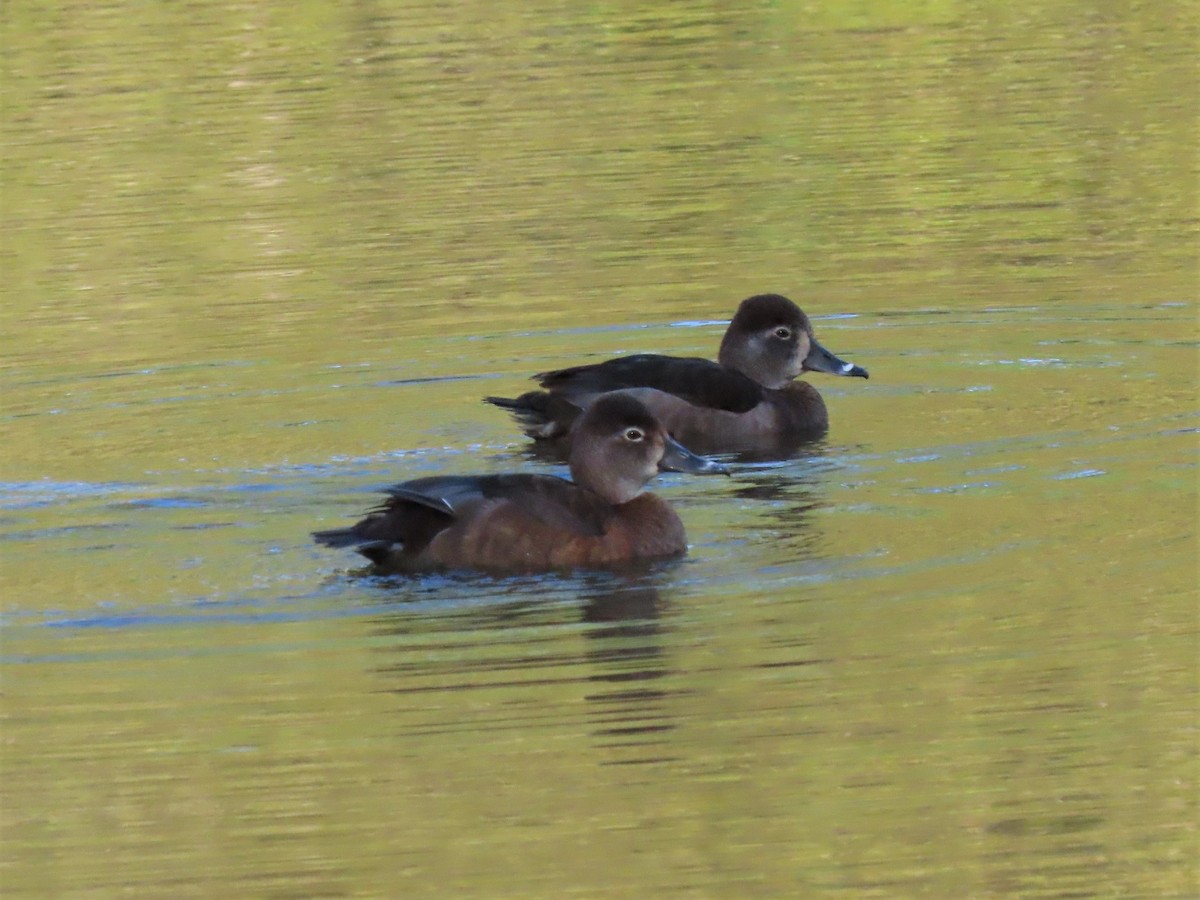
x=602 y=519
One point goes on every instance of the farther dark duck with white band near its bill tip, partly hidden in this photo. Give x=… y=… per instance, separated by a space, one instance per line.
x=747 y=403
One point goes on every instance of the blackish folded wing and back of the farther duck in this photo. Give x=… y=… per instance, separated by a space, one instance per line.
x=700 y=382
